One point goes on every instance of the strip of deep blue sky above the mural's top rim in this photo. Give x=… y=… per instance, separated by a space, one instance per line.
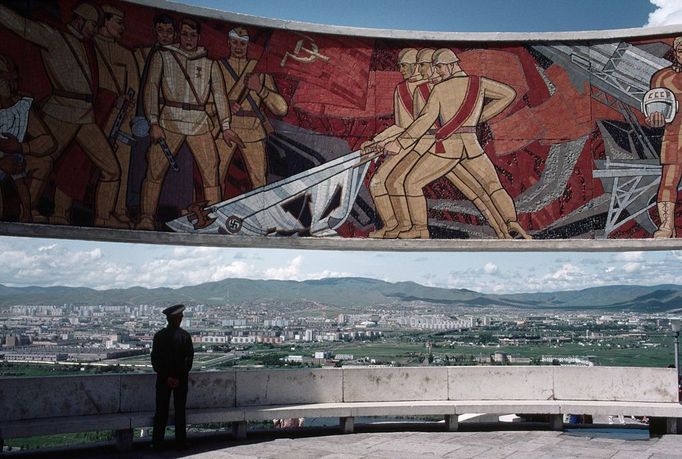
x=454 y=15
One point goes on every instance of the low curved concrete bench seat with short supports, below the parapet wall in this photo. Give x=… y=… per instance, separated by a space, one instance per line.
x=345 y=412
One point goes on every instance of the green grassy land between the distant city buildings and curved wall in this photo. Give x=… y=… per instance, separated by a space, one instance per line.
x=401 y=350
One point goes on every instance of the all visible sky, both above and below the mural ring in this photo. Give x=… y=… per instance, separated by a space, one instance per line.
x=32 y=261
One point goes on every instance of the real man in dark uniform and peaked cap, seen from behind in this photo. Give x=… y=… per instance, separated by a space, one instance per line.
x=172 y=356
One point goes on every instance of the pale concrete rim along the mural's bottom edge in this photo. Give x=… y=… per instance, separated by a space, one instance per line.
x=326 y=243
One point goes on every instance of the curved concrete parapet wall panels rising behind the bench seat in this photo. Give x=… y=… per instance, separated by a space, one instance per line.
x=34 y=398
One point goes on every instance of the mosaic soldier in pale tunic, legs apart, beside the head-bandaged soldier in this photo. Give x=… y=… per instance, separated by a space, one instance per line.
x=181 y=81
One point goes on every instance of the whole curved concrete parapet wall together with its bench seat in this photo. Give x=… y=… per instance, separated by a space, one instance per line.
x=29 y=406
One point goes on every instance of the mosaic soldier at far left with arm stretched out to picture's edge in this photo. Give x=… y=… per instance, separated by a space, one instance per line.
x=70 y=61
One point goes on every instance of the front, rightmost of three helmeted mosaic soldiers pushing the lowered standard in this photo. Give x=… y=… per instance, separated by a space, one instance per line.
x=458 y=103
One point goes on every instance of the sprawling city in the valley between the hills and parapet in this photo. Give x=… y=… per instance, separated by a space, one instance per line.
x=48 y=338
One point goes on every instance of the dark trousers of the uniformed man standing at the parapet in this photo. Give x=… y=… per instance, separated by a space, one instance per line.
x=163 y=393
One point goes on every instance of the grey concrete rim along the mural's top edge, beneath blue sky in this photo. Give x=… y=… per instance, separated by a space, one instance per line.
x=407 y=34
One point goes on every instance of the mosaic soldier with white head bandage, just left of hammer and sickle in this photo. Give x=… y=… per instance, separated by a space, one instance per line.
x=248 y=93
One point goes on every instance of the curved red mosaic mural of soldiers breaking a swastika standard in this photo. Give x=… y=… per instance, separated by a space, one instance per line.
x=124 y=116
